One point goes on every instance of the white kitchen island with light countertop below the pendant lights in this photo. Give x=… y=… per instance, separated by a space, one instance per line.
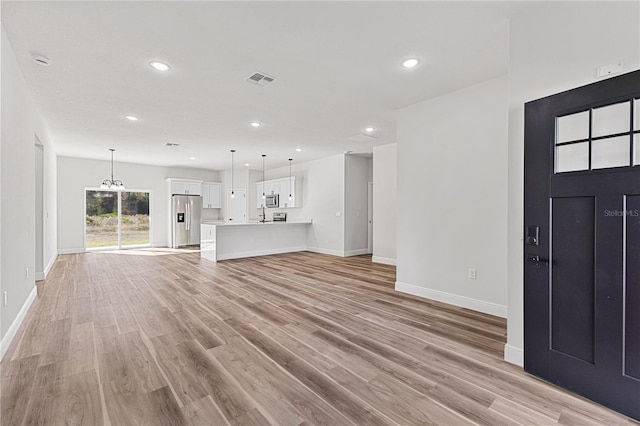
x=223 y=240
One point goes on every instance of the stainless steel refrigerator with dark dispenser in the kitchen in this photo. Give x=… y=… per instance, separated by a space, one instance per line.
x=186 y=212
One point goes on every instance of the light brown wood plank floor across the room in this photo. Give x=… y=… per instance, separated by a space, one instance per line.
x=128 y=339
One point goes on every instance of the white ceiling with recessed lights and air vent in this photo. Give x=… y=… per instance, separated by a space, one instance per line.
x=337 y=64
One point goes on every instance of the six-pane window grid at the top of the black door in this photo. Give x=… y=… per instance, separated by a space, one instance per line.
x=598 y=138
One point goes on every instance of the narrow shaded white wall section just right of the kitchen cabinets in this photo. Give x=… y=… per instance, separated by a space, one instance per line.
x=355 y=204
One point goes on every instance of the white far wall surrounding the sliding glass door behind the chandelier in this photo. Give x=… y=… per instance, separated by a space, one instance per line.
x=76 y=174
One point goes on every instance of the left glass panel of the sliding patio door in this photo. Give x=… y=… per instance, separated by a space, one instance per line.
x=101 y=219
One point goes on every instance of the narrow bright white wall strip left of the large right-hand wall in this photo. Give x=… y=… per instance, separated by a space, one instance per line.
x=384 y=203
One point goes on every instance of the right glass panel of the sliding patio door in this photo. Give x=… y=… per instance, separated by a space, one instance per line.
x=135 y=218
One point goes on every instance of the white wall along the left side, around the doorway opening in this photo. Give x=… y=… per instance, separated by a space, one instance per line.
x=21 y=124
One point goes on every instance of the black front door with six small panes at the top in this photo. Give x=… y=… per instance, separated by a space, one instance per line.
x=582 y=241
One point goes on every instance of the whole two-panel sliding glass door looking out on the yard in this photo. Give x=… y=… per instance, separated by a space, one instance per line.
x=116 y=219
